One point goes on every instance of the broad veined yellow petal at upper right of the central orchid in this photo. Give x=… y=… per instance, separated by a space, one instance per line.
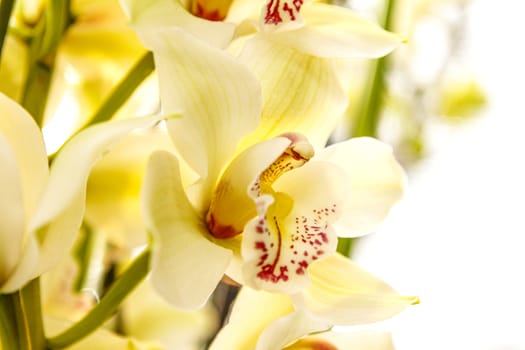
x=300 y=92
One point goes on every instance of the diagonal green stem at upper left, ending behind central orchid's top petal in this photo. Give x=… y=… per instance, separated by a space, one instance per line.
x=124 y=89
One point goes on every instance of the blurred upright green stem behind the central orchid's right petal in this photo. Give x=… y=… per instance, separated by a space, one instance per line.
x=368 y=120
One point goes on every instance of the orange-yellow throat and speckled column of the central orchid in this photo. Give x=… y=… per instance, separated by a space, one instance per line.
x=231 y=207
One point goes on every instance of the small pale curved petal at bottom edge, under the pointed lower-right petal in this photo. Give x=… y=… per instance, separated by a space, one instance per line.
x=287 y=329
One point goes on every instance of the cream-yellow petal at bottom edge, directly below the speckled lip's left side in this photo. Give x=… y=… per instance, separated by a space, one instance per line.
x=252 y=312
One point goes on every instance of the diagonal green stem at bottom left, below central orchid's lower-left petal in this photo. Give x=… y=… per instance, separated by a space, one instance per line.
x=136 y=272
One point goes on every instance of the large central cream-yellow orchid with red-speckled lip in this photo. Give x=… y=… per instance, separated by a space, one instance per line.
x=247 y=203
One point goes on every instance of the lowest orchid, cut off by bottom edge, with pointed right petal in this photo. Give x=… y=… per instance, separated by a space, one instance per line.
x=262 y=320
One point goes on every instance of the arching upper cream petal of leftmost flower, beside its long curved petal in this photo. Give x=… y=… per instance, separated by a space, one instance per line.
x=27 y=144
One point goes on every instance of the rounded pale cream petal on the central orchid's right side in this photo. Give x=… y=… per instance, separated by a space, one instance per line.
x=375 y=182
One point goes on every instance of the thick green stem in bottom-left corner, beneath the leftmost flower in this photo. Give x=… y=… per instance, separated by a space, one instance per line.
x=21 y=325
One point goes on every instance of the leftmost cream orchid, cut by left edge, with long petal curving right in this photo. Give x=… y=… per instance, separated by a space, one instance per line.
x=42 y=208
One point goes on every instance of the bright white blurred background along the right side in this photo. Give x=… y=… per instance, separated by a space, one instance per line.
x=457 y=237
